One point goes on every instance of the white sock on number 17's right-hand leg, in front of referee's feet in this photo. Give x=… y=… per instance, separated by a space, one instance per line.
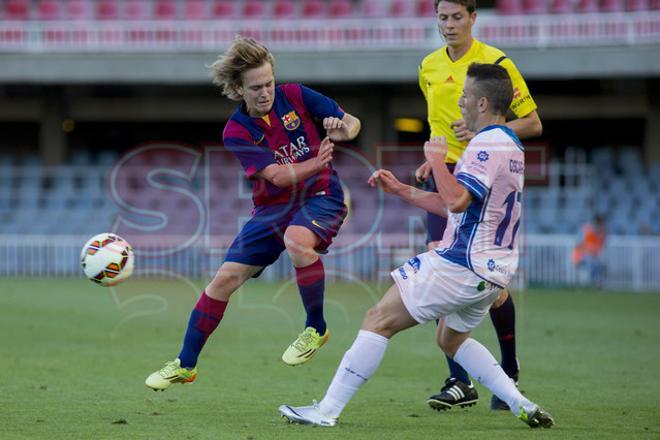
x=480 y=364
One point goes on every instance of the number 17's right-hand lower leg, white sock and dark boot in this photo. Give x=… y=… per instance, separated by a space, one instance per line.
x=481 y=364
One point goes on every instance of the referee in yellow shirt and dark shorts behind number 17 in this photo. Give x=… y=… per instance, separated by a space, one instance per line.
x=441 y=77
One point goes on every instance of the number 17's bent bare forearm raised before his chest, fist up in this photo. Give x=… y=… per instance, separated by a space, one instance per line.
x=453 y=194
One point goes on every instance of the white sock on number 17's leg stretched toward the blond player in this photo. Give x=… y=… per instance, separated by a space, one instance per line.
x=360 y=362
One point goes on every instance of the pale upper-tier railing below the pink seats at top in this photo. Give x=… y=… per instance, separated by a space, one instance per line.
x=319 y=34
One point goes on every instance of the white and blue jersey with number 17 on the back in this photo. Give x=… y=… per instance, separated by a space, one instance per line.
x=484 y=238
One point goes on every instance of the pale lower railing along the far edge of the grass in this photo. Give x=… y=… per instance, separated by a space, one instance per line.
x=631 y=262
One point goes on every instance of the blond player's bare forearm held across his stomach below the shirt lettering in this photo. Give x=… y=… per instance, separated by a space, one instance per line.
x=290 y=174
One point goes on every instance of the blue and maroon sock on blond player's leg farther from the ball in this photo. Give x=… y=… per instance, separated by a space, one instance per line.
x=311 y=283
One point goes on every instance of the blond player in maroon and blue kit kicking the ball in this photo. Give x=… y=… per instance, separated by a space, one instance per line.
x=299 y=202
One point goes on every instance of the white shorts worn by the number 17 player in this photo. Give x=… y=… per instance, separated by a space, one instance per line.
x=432 y=287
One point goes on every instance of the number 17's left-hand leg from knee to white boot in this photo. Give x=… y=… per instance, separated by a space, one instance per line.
x=359 y=363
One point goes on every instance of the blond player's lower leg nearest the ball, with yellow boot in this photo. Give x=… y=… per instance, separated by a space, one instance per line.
x=204 y=319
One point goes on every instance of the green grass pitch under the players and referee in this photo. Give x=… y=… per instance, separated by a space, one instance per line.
x=74 y=358
